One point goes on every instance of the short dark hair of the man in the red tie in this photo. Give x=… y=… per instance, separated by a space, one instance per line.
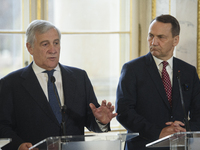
x=169 y=19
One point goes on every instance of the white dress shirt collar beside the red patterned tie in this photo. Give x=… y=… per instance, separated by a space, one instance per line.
x=169 y=67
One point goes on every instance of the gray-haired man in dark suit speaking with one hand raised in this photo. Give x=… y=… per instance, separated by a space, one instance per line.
x=25 y=113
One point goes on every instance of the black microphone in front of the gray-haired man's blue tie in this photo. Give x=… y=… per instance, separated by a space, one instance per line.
x=62 y=108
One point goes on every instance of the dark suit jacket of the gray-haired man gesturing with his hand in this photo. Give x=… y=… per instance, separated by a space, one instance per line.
x=26 y=116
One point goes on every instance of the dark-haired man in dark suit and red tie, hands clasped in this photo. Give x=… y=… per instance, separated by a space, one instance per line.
x=144 y=105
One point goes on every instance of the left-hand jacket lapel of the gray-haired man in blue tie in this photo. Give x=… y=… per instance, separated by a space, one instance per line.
x=33 y=87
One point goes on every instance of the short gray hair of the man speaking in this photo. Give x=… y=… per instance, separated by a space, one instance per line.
x=41 y=26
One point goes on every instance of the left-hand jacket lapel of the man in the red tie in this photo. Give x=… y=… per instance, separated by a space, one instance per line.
x=155 y=76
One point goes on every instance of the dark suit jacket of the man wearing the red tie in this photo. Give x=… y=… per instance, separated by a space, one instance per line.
x=142 y=105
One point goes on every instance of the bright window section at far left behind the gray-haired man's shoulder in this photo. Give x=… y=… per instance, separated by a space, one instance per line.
x=11 y=42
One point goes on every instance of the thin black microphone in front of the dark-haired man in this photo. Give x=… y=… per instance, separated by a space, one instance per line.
x=187 y=126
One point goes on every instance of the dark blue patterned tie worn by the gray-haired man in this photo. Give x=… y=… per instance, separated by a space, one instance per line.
x=54 y=103
